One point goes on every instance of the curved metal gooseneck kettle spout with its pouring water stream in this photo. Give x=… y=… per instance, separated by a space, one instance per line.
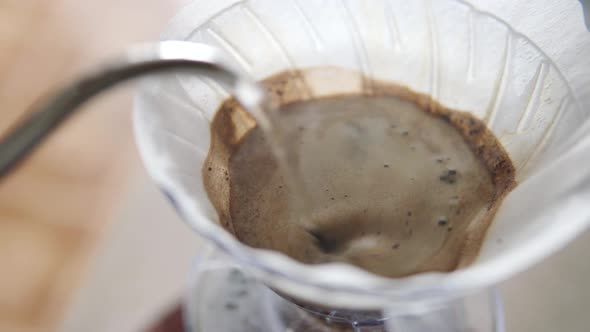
x=140 y=61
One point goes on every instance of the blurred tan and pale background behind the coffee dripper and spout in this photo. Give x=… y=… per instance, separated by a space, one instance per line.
x=87 y=243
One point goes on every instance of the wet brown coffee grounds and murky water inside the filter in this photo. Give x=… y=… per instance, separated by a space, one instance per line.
x=396 y=183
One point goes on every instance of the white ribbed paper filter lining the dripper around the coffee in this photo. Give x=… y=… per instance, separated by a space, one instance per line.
x=464 y=58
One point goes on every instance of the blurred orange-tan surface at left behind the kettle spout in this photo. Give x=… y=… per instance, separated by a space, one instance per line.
x=53 y=208
